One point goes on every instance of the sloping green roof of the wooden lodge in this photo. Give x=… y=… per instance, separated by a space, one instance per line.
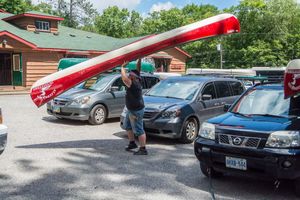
x=68 y=38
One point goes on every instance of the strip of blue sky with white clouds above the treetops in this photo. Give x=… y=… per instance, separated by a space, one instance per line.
x=146 y=6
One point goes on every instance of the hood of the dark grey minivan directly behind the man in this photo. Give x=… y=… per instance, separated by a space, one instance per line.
x=162 y=103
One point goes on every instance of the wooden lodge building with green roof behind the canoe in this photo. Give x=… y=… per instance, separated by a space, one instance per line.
x=32 y=43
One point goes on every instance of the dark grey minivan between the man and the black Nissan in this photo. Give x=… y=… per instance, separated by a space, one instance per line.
x=176 y=106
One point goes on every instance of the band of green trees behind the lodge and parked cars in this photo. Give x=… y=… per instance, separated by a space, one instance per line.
x=270 y=29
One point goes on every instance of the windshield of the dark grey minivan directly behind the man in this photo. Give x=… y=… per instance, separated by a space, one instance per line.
x=175 y=89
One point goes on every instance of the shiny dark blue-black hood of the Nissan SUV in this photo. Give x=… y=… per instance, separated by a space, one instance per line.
x=255 y=123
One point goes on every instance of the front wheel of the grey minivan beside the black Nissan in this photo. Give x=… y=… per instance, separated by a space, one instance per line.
x=190 y=130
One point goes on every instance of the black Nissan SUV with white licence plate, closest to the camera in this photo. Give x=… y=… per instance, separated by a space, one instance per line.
x=259 y=136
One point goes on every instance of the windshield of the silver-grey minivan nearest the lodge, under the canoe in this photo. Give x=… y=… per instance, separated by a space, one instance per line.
x=97 y=83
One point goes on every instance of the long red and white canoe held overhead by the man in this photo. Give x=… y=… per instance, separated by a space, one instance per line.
x=53 y=85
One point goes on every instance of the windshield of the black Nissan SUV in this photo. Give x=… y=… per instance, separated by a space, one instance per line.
x=267 y=102
